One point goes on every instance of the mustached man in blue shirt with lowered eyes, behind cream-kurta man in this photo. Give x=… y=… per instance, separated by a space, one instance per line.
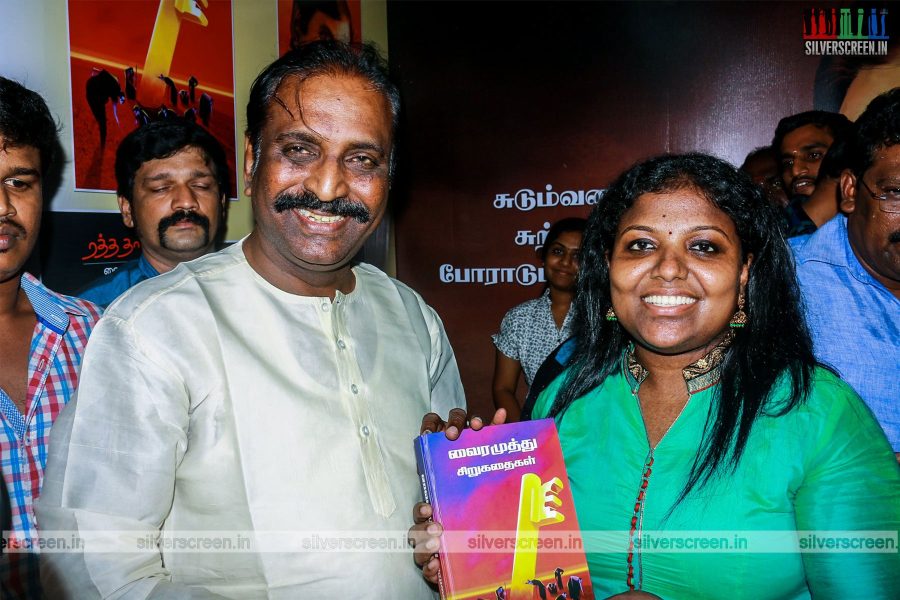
x=172 y=181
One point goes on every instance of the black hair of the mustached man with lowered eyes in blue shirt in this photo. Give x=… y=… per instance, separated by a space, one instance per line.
x=163 y=139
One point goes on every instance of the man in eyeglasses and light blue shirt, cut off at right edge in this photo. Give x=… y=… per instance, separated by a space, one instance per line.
x=849 y=269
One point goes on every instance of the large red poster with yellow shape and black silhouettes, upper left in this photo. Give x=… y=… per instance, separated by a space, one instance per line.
x=143 y=60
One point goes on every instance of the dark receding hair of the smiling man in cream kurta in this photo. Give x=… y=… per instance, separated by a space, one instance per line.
x=319 y=58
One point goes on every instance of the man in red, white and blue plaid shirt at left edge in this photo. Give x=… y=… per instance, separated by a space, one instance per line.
x=43 y=333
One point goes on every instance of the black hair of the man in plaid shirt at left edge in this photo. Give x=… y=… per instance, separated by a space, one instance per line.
x=25 y=120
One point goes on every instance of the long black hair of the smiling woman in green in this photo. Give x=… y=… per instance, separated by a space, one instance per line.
x=774 y=343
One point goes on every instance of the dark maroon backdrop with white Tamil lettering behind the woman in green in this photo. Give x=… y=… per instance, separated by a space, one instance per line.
x=501 y=96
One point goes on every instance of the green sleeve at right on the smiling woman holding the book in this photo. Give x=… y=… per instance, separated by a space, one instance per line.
x=852 y=485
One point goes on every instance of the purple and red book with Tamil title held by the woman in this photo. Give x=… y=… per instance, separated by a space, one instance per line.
x=504 y=501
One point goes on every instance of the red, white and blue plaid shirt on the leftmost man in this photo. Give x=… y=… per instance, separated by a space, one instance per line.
x=57 y=344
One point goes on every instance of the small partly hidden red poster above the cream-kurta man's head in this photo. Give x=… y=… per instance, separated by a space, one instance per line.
x=304 y=20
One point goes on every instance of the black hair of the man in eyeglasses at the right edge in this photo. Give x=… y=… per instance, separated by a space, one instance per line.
x=876 y=128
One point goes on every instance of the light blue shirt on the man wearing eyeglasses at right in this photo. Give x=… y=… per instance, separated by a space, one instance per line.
x=854 y=320
